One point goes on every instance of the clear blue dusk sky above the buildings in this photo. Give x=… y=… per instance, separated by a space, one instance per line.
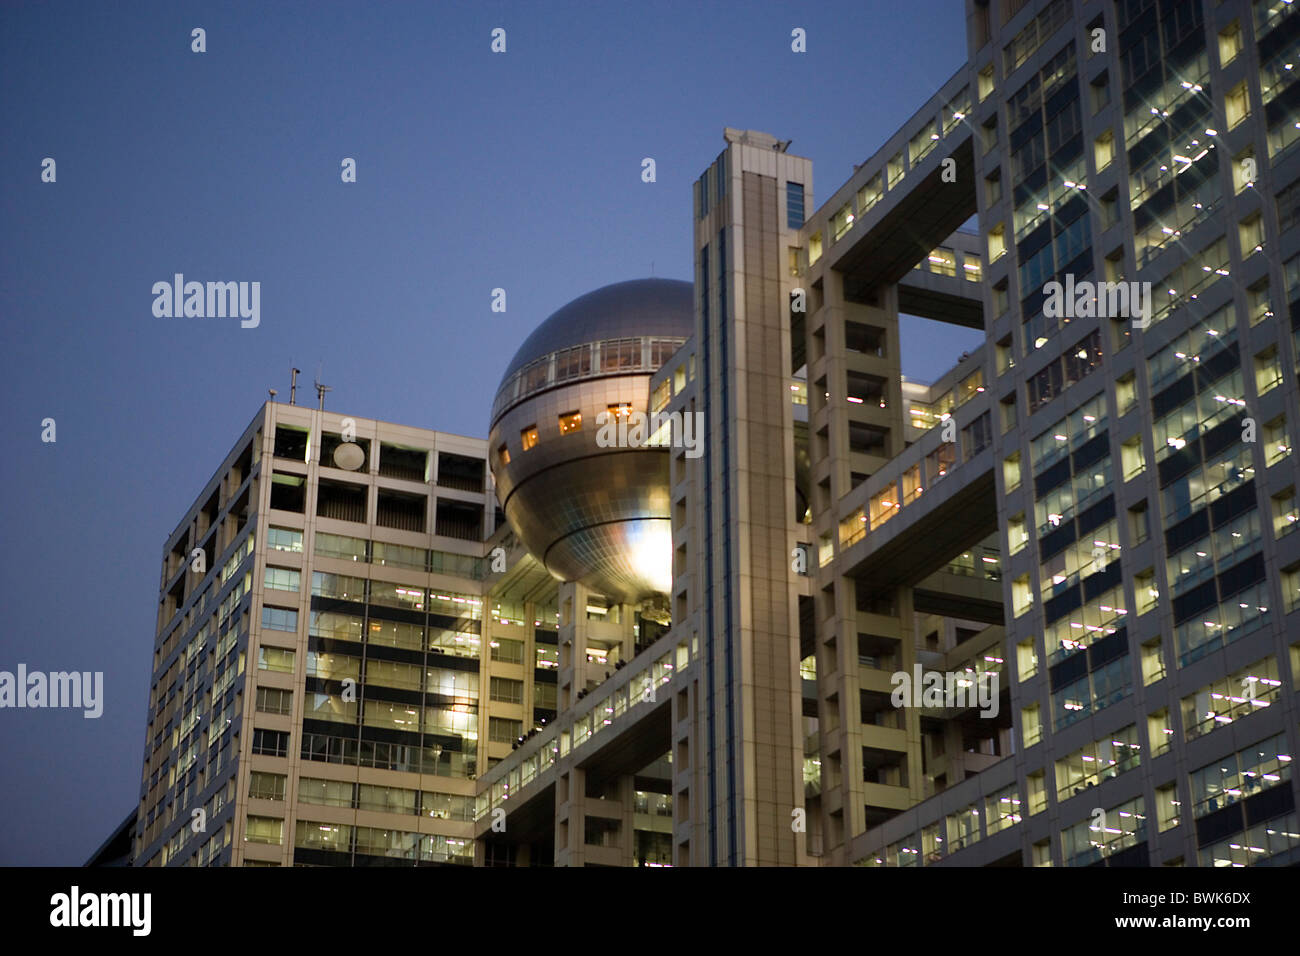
x=475 y=171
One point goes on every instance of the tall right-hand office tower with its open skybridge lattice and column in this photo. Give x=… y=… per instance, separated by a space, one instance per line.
x=1084 y=531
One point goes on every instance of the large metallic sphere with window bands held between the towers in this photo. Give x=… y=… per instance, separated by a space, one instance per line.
x=592 y=514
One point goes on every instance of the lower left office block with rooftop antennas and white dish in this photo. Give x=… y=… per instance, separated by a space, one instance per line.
x=319 y=667
